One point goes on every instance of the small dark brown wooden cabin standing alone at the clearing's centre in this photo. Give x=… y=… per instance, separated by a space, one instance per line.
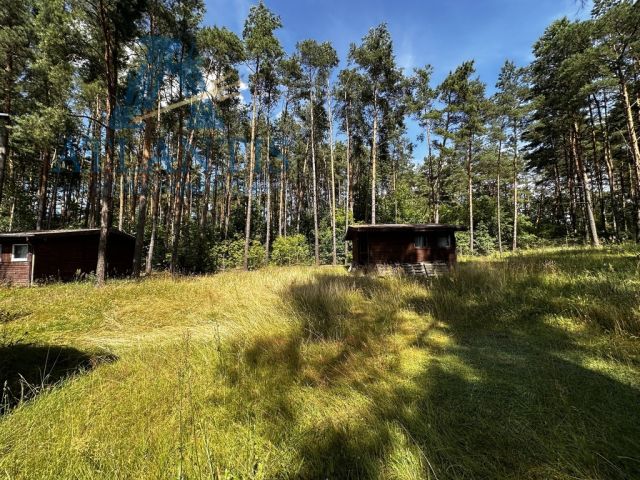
x=417 y=249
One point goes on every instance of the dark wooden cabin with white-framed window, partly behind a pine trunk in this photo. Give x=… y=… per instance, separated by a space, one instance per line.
x=28 y=257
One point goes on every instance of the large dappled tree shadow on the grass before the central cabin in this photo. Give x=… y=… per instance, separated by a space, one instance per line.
x=510 y=394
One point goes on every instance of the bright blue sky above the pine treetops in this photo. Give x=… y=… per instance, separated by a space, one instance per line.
x=441 y=33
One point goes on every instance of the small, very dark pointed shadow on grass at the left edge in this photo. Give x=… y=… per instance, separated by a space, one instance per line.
x=26 y=370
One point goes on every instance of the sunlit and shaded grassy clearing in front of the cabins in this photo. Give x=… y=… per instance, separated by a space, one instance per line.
x=526 y=367
